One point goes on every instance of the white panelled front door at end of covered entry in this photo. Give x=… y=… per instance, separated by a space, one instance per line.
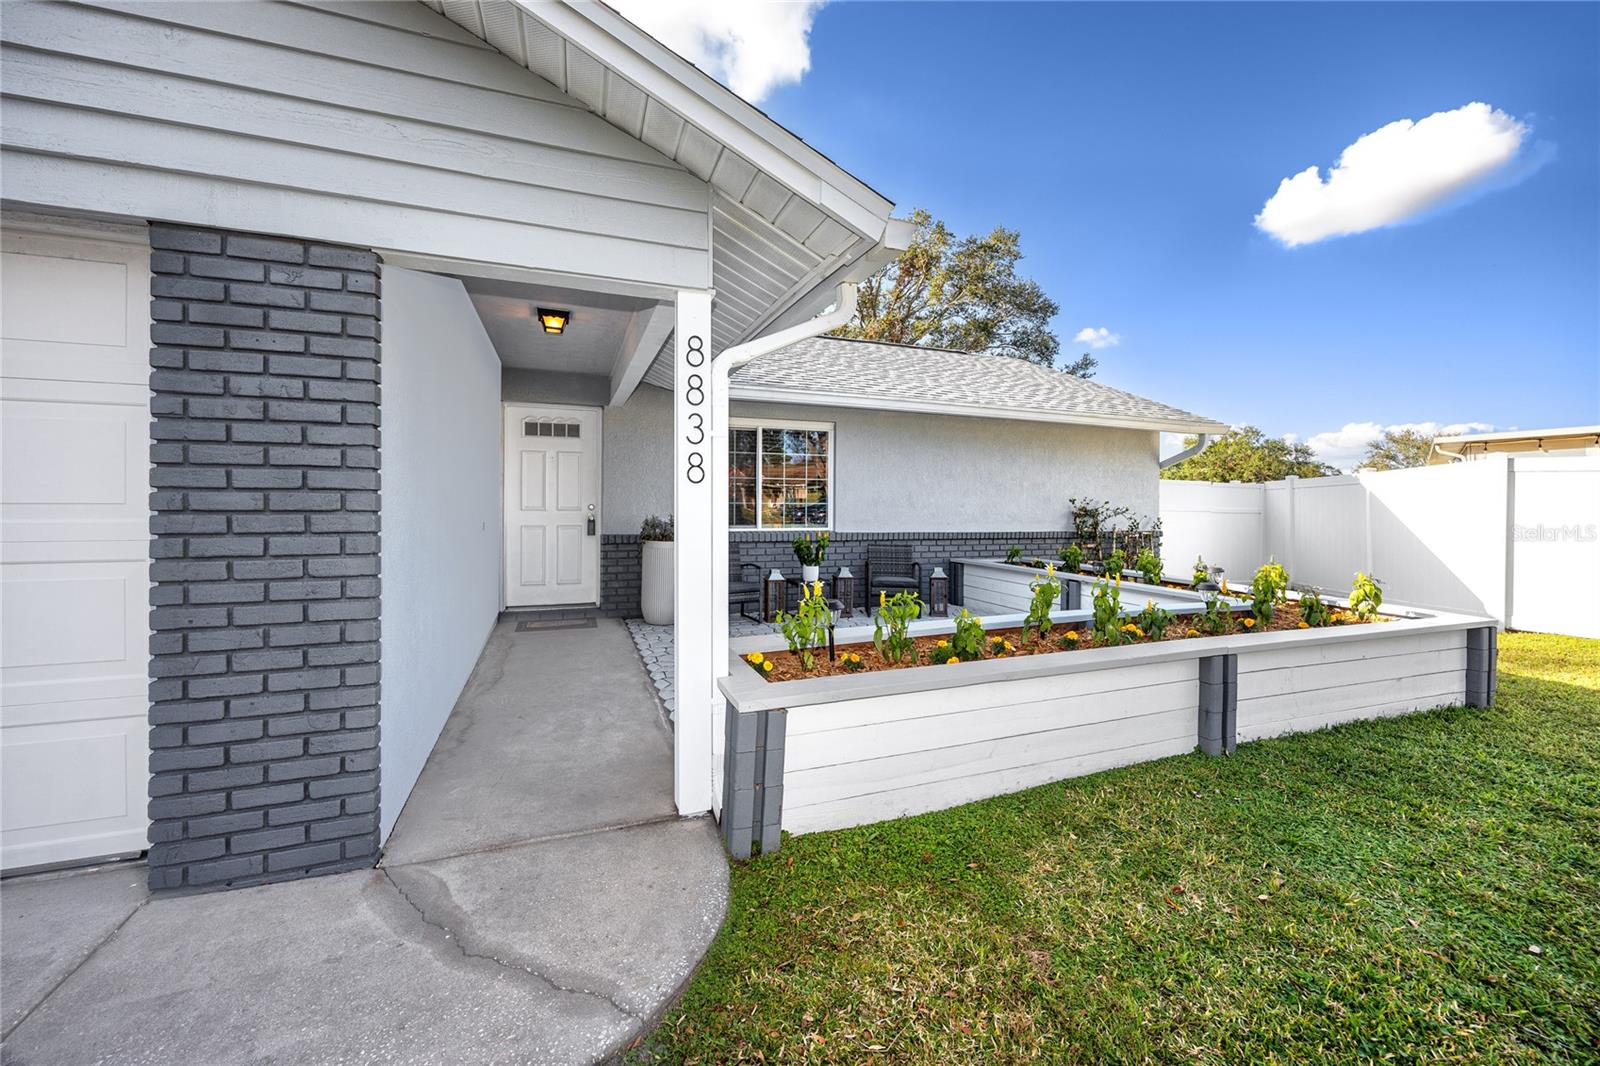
x=553 y=505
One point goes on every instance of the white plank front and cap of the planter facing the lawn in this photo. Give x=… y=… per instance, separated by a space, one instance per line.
x=886 y=745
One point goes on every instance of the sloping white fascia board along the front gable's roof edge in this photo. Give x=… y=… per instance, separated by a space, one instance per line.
x=716 y=110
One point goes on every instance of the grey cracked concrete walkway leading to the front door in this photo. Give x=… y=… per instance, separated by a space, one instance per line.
x=540 y=902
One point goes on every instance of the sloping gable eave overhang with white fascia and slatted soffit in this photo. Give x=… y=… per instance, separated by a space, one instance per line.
x=788 y=223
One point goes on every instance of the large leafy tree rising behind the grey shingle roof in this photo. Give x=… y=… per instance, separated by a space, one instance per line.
x=962 y=294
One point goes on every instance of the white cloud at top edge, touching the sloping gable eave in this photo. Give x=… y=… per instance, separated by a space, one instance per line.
x=750 y=46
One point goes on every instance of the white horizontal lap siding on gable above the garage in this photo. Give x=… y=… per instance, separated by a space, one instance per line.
x=380 y=126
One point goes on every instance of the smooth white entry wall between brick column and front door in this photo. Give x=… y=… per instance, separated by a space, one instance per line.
x=441 y=547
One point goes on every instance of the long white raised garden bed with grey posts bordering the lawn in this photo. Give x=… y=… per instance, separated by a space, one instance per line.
x=852 y=748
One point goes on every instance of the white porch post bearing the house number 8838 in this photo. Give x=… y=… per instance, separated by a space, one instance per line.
x=694 y=468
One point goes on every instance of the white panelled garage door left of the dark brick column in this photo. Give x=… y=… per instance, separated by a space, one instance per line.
x=74 y=547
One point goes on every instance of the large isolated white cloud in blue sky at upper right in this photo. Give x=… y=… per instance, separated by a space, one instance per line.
x=1396 y=174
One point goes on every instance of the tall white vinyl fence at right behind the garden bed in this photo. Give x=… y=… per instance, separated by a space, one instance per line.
x=1513 y=537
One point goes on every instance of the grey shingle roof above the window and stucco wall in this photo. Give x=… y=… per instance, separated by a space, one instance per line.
x=836 y=372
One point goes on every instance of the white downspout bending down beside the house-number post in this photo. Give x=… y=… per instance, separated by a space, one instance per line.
x=721 y=371
